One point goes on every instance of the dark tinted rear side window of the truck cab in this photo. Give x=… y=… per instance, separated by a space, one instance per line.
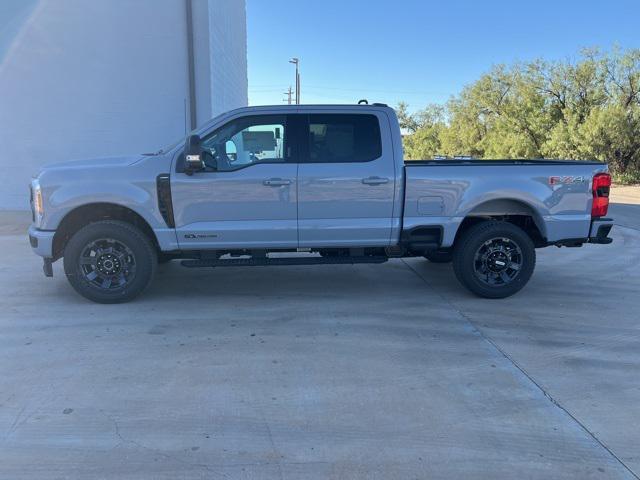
x=343 y=138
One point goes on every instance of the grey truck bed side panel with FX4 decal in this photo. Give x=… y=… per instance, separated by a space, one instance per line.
x=556 y=193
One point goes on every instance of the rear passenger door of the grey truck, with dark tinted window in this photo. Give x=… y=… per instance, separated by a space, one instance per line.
x=345 y=180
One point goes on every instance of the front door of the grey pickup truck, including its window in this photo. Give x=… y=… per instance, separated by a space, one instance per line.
x=246 y=196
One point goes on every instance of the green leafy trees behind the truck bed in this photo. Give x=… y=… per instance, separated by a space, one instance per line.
x=589 y=108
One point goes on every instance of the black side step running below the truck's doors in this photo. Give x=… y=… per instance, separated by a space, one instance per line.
x=285 y=261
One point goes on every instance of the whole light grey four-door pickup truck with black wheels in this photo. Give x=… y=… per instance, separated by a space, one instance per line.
x=308 y=185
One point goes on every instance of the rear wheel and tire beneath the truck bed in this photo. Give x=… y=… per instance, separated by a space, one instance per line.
x=494 y=259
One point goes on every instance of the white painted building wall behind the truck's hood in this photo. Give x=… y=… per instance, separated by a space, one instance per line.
x=84 y=79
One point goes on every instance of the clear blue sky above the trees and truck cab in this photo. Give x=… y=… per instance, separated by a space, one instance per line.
x=417 y=51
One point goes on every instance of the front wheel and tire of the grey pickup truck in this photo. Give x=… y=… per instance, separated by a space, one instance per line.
x=109 y=261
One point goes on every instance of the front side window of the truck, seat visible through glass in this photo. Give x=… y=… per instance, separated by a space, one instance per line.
x=246 y=141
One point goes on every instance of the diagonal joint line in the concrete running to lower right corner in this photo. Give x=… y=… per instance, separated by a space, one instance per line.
x=539 y=386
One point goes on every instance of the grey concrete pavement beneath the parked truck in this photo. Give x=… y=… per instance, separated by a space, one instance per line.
x=389 y=371
